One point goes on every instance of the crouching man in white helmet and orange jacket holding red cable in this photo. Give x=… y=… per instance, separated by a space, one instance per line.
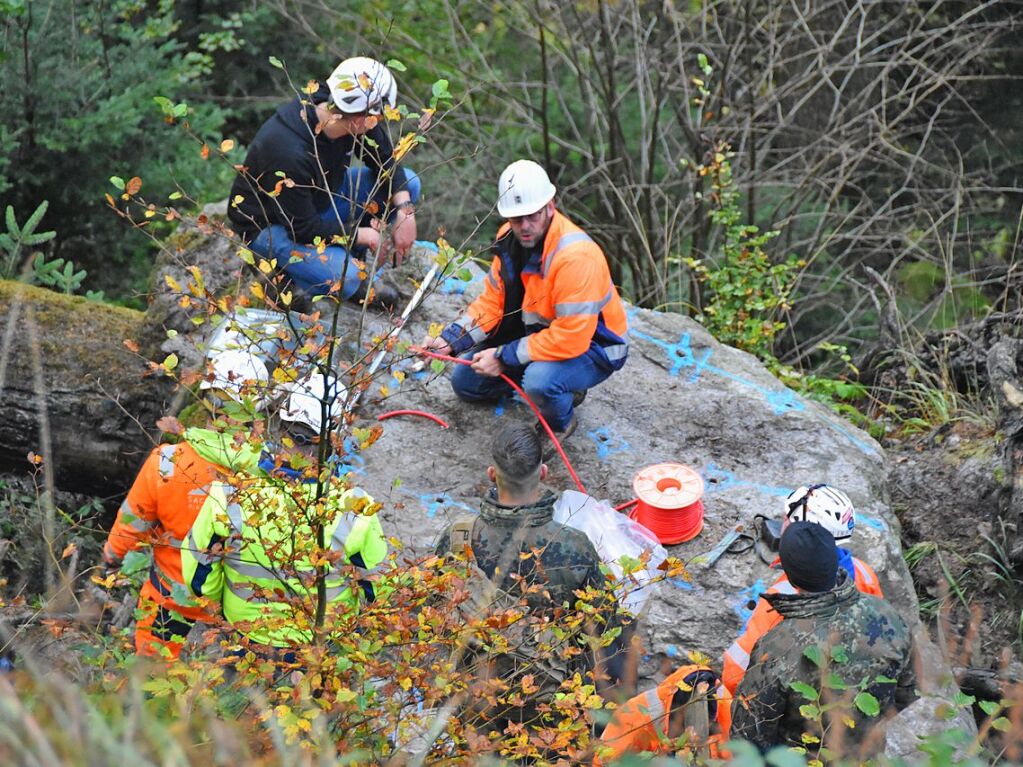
x=549 y=317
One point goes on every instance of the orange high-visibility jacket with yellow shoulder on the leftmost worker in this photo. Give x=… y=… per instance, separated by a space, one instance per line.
x=167 y=497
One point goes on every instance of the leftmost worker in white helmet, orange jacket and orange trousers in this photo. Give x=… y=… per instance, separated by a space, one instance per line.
x=167 y=497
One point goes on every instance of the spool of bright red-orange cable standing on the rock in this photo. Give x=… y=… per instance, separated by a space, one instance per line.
x=670 y=503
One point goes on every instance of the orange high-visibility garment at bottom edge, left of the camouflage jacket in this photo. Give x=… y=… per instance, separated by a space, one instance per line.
x=641 y=725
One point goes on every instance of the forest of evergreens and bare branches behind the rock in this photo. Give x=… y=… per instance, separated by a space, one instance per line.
x=875 y=146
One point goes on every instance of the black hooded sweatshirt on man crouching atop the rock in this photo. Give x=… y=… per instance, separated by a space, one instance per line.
x=287 y=151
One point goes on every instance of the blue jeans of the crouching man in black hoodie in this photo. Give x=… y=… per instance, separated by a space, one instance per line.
x=317 y=272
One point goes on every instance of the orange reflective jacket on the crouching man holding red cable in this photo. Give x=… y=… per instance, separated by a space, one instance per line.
x=570 y=307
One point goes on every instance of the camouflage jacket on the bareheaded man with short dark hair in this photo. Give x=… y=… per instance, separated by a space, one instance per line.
x=504 y=543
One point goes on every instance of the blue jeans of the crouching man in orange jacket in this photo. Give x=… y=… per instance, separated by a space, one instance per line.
x=550 y=385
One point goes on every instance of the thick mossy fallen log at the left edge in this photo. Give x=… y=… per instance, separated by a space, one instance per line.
x=72 y=392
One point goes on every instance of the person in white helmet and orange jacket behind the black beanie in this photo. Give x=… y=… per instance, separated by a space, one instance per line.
x=832 y=510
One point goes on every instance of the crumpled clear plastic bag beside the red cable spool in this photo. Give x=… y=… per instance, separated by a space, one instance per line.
x=615 y=536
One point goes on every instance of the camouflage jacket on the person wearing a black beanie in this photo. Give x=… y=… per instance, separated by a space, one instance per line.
x=840 y=644
